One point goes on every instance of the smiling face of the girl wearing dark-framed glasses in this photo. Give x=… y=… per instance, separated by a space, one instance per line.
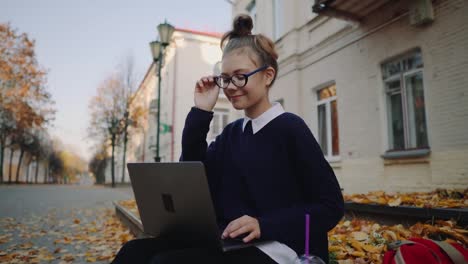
x=255 y=92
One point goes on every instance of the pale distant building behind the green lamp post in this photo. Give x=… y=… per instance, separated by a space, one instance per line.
x=190 y=55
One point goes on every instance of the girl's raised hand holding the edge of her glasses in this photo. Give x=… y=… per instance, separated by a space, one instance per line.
x=206 y=93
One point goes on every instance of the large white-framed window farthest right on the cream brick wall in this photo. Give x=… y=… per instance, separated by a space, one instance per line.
x=404 y=90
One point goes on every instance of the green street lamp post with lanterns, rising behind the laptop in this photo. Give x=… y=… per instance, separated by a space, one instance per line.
x=157 y=49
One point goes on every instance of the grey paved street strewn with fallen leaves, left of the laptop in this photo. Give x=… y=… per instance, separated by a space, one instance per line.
x=60 y=223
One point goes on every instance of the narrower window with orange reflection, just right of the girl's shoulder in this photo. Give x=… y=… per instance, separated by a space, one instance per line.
x=328 y=136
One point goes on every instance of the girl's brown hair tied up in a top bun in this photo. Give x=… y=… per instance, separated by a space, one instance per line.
x=240 y=37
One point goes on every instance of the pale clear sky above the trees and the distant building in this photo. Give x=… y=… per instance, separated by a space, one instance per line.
x=82 y=42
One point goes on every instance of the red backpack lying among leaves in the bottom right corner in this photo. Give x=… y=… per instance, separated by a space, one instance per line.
x=425 y=251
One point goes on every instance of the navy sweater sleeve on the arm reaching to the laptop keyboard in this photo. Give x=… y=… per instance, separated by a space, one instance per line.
x=322 y=198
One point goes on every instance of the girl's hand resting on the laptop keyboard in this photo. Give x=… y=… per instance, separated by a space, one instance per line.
x=241 y=225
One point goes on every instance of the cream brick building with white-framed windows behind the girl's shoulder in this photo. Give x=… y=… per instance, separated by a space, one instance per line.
x=383 y=85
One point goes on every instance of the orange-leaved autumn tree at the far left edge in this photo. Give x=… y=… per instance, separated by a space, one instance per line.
x=25 y=103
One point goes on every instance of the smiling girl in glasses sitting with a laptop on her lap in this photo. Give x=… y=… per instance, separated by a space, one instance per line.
x=265 y=171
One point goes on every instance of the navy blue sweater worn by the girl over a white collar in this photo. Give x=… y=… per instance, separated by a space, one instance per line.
x=276 y=175
